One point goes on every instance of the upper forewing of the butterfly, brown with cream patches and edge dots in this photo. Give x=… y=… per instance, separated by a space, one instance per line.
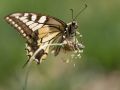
x=27 y=23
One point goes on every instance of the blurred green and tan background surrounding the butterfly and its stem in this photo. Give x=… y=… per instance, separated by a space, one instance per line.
x=99 y=67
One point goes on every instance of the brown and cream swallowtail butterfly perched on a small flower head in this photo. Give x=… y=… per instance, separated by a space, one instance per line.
x=44 y=34
